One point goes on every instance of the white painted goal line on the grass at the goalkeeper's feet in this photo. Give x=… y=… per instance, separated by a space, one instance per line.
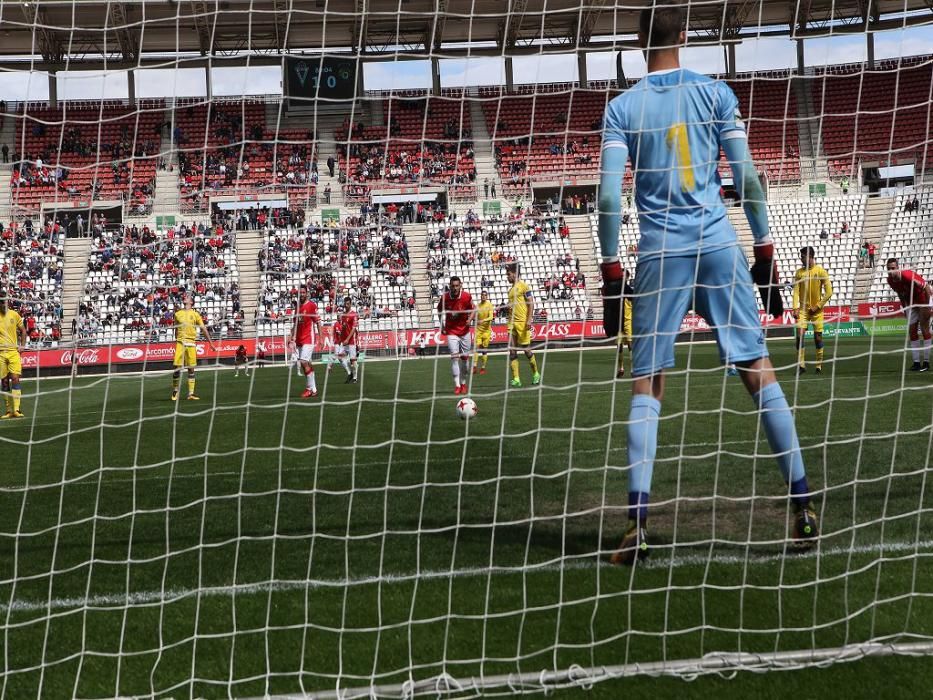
x=155 y=597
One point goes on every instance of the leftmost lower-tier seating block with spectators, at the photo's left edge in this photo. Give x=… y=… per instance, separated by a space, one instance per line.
x=31 y=269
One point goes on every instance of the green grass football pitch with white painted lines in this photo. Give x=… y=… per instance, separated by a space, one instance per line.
x=253 y=543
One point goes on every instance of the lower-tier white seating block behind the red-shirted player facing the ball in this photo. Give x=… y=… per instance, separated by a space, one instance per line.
x=477 y=250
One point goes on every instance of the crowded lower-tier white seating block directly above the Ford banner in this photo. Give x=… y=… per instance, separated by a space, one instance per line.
x=137 y=278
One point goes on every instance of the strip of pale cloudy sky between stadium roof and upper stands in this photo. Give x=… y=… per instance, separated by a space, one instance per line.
x=753 y=54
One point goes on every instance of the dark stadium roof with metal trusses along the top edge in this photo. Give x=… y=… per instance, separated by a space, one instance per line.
x=85 y=34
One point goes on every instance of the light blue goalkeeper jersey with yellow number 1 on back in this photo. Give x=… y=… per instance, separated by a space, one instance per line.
x=672 y=124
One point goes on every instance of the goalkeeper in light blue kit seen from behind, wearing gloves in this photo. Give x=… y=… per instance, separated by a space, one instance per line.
x=673 y=124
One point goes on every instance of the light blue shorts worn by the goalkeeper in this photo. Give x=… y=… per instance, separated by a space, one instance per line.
x=717 y=285
